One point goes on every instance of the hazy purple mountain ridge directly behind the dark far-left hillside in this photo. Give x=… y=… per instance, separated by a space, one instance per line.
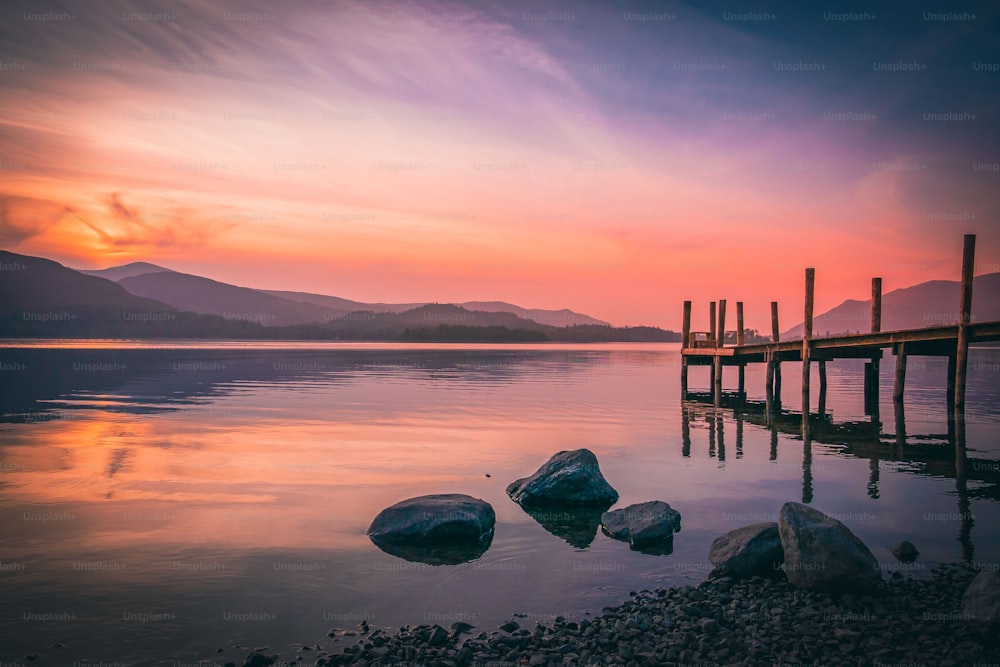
x=203 y=295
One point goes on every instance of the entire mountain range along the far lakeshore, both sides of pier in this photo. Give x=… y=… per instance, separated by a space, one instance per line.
x=39 y=297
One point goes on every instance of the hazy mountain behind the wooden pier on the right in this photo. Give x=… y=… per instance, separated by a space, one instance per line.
x=930 y=304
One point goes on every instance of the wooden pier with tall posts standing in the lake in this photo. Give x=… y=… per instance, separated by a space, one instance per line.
x=709 y=349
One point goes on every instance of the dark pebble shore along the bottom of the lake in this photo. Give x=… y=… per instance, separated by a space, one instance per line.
x=758 y=621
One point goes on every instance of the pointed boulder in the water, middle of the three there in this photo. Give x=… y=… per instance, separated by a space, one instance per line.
x=568 y=478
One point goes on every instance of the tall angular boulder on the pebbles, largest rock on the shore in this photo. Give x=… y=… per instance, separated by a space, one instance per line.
x=822 y=554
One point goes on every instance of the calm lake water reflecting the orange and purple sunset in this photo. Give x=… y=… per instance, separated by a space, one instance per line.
x=158 y=503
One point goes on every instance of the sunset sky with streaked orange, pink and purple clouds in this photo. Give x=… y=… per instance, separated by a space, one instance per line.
x=612 y=158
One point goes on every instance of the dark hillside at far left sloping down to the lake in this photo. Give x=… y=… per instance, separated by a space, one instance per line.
x=39 y=297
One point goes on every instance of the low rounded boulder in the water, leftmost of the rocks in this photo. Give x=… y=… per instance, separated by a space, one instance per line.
x=438 y=529
